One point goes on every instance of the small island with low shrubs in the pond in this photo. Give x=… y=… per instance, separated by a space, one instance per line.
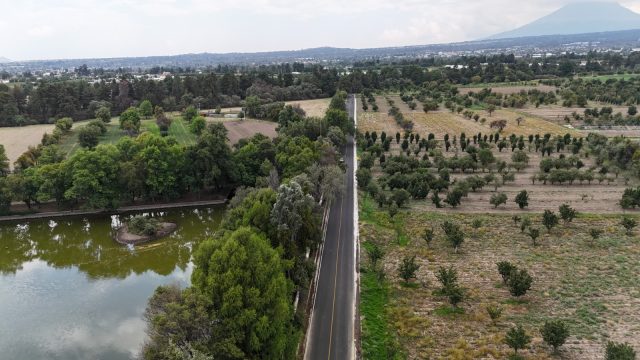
x=141 y=229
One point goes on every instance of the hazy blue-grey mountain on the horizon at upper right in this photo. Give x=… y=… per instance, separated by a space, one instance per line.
x=579 y=18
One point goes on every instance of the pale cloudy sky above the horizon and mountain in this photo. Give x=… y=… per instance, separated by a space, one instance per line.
x=61 y=29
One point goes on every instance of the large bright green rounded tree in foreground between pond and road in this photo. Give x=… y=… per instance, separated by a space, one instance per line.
x=243 y=278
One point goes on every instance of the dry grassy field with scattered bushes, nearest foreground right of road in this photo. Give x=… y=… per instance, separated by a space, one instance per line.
x=592 y=285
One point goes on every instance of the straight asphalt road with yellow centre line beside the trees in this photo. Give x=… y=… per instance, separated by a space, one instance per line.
x=331 y=331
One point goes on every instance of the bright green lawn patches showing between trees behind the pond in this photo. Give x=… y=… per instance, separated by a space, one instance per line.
x=178 y=129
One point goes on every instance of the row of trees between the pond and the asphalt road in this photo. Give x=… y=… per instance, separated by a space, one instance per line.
x=241 y=302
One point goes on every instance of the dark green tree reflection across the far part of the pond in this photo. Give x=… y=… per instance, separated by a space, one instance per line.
x=87 y=243
